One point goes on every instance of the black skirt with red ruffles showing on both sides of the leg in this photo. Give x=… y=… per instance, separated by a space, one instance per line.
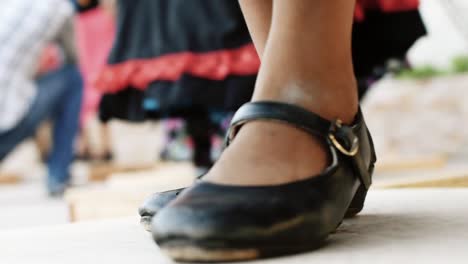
x=174 y=57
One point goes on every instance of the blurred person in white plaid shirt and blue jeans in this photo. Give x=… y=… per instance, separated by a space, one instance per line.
x=26 y=29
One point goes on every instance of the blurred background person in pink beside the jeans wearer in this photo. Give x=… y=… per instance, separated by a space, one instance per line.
x=95 y=33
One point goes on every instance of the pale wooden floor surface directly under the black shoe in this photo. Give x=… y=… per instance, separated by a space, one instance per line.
x=396 y=226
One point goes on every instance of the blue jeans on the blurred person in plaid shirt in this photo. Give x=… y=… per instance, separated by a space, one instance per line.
x=58 y=99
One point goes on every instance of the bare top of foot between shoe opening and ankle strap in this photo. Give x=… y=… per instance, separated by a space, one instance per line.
x=269 y=153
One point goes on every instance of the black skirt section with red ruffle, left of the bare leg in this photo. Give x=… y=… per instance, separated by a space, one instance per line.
x=151 y=30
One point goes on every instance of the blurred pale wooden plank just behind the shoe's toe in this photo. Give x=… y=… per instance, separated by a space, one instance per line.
x=124 y=192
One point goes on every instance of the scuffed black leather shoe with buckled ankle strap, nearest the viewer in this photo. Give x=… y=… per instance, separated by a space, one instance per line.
x=211 y=222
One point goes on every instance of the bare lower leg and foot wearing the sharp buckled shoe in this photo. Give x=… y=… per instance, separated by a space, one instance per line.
x=307 y=62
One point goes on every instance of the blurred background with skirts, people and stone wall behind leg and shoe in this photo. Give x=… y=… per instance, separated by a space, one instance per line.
x=99 y=122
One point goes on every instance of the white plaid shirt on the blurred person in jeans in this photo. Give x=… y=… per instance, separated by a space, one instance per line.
x=26 y=27
